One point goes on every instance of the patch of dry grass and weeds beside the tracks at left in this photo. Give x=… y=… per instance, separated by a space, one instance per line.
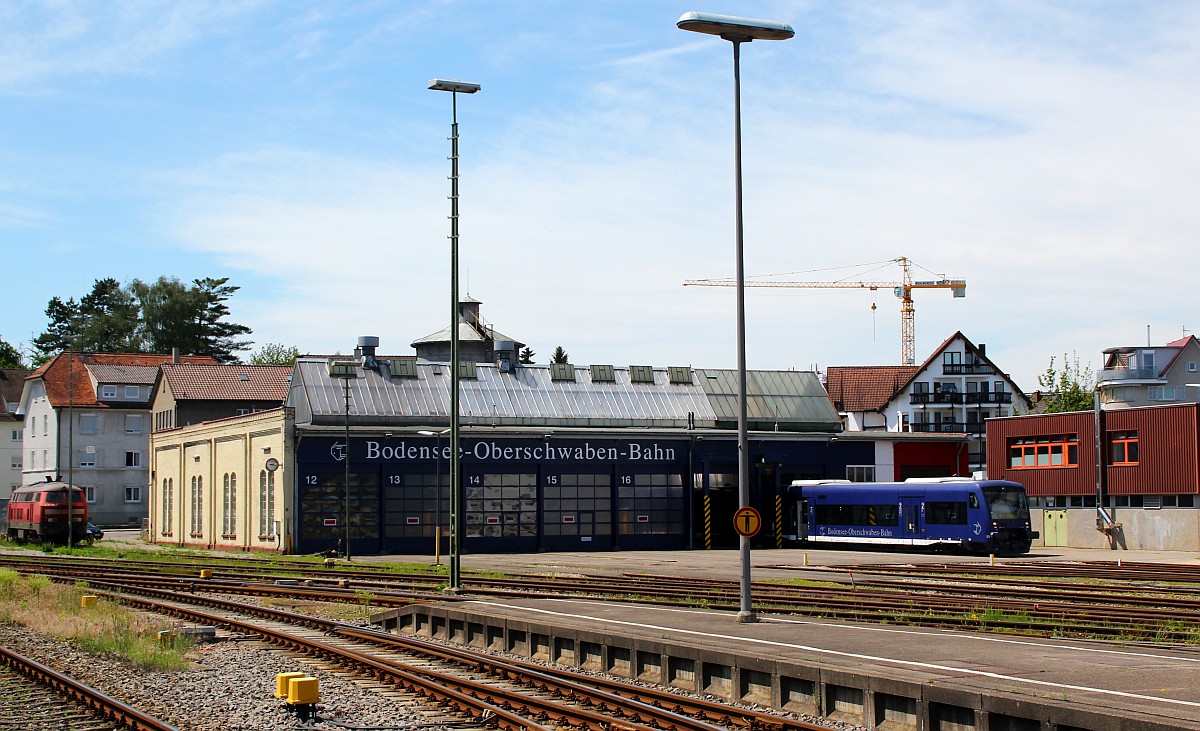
x=105 y=628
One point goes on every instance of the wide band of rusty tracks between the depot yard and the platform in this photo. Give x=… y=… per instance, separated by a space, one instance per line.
x=1142 y=606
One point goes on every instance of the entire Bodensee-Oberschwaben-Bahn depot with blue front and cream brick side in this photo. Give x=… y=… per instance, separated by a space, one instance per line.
x=554 y=458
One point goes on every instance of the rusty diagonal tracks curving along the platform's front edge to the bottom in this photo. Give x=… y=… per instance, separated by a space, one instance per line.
x=507 y=694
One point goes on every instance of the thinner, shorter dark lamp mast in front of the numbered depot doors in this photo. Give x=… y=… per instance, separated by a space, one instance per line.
x=455 y=88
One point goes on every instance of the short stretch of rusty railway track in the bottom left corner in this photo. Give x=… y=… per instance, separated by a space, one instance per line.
x=35 y=698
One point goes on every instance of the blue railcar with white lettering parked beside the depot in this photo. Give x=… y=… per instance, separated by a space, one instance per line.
x=982 y=517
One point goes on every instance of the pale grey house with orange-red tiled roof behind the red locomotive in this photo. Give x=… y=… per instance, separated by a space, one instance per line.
x=87 y=420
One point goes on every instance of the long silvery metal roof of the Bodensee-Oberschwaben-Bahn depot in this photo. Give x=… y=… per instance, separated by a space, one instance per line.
x=529 y=397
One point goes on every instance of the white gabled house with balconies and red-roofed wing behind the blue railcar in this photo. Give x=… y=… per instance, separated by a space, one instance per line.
x=953 y=392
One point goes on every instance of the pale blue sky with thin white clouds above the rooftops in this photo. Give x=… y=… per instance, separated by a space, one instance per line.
x=1046 y=152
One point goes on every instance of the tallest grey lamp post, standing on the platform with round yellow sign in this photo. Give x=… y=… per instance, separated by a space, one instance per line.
x=739 y=32
